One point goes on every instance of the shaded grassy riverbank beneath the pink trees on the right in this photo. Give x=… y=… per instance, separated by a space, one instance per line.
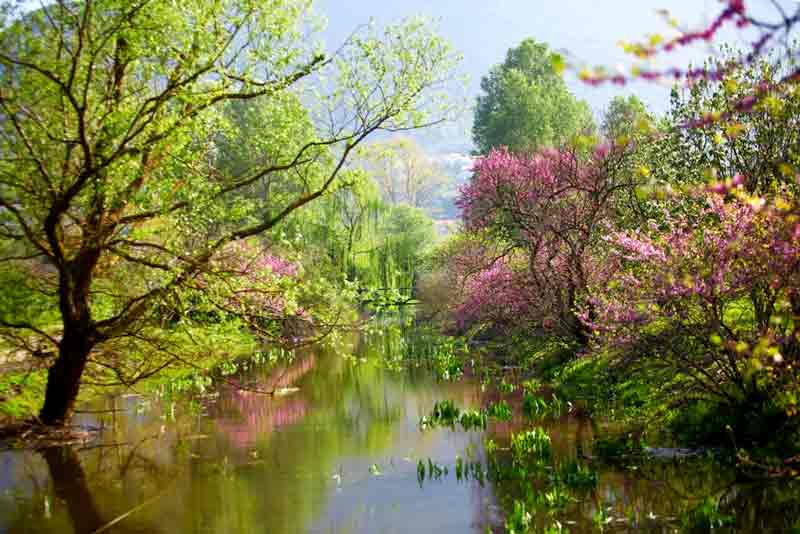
x=637 y=409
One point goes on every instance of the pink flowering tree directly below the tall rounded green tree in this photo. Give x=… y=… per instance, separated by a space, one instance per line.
x=549 y=212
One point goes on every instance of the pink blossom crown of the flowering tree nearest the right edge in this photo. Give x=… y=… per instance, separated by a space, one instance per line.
x=688 y=274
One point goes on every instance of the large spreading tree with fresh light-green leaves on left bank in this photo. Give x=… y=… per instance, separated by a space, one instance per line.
x=110 y=115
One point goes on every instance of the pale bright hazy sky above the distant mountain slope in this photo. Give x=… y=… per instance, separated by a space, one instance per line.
x=484 y=29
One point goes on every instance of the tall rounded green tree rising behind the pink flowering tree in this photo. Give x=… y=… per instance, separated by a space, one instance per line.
x=525 y=104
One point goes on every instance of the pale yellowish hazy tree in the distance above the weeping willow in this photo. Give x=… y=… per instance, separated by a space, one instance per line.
x=403 y=171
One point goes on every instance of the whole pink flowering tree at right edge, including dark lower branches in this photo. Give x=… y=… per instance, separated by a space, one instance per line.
x=711 y=294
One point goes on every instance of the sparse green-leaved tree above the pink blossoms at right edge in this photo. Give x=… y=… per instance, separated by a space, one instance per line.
x=762 y=142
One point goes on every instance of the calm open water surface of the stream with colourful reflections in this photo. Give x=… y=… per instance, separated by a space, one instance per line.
x=338 y=455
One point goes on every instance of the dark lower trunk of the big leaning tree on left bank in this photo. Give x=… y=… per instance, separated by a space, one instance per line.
x=64 y=378
